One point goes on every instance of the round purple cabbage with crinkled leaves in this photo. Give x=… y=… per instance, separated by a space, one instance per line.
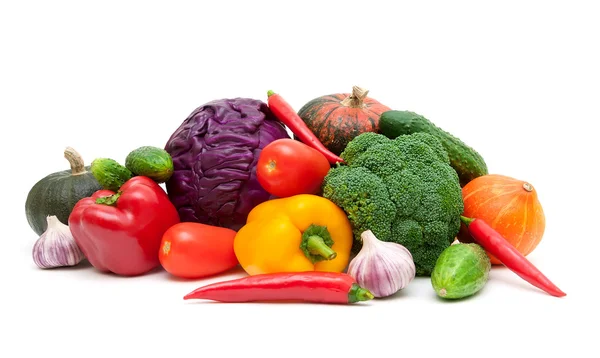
x=215 y=151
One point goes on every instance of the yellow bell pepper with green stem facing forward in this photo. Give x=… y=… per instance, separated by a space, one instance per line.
x=299 y=233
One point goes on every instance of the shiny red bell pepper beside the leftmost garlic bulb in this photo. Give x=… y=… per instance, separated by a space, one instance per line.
x=121 y=232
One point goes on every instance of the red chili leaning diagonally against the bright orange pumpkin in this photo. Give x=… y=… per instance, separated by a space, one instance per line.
x=498 y=246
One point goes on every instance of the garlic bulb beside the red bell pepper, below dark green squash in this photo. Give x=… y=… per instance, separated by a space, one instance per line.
x=56 y=246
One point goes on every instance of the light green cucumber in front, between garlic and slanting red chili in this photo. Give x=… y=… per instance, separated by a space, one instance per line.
x=460 y=271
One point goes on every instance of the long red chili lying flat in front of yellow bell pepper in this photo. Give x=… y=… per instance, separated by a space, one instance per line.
x=310 y=286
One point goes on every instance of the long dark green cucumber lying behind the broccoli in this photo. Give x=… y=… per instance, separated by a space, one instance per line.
x=467 y=162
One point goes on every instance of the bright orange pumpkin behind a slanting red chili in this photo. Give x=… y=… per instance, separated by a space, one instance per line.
x=508 y=205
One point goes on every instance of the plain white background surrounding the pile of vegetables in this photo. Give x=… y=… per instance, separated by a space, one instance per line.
x=519 y=81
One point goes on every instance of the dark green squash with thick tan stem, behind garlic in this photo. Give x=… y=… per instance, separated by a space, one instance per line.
x=57 y=193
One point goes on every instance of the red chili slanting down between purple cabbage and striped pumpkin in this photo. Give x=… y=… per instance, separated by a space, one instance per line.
x=286 y=114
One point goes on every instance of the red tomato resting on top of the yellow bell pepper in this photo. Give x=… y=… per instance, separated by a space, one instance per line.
x=287 y=167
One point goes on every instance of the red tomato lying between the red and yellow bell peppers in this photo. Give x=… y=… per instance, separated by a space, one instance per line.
x=193 y=250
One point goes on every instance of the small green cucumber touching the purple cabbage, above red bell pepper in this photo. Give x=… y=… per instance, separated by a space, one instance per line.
x=151 y=162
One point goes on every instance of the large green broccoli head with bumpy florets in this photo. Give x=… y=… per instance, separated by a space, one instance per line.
x=403 y=190
